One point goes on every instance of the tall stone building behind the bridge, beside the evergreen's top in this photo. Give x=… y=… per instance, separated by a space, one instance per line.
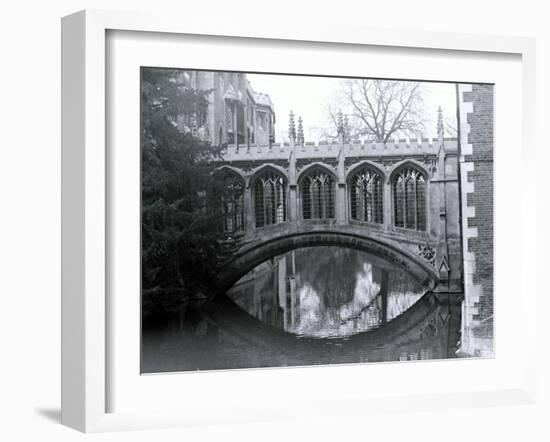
x=236 y=115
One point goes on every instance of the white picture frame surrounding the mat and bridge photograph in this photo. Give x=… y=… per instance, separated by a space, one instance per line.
x=86 y=204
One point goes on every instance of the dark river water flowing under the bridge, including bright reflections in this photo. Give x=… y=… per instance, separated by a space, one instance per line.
x=317 y=305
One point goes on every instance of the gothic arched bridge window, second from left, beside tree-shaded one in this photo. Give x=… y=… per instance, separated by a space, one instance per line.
x=269 y=198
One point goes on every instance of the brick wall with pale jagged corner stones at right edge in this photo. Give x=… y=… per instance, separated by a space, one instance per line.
x=476 y=146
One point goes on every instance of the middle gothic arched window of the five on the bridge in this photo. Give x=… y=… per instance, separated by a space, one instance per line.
x=317 y=190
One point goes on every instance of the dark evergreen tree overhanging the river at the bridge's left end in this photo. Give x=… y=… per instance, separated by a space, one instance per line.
x=182 y=243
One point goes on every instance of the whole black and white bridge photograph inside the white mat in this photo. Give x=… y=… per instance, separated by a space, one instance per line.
x=299 y=220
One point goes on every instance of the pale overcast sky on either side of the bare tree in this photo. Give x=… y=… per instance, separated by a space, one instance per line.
x=309 y=97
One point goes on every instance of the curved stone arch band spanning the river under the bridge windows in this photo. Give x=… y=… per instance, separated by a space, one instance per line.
x=260 y=251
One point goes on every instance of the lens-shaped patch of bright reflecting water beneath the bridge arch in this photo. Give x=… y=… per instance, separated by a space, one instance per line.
x=325 y=292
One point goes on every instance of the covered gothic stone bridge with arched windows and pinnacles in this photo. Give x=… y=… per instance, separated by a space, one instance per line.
x=397 y=201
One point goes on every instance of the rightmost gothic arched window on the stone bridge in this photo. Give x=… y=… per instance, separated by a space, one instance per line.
x=409 y=199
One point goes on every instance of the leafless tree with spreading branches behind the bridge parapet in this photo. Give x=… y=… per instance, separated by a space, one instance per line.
x=378 y=110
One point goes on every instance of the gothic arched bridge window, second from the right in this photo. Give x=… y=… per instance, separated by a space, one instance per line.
x=366 y=196
